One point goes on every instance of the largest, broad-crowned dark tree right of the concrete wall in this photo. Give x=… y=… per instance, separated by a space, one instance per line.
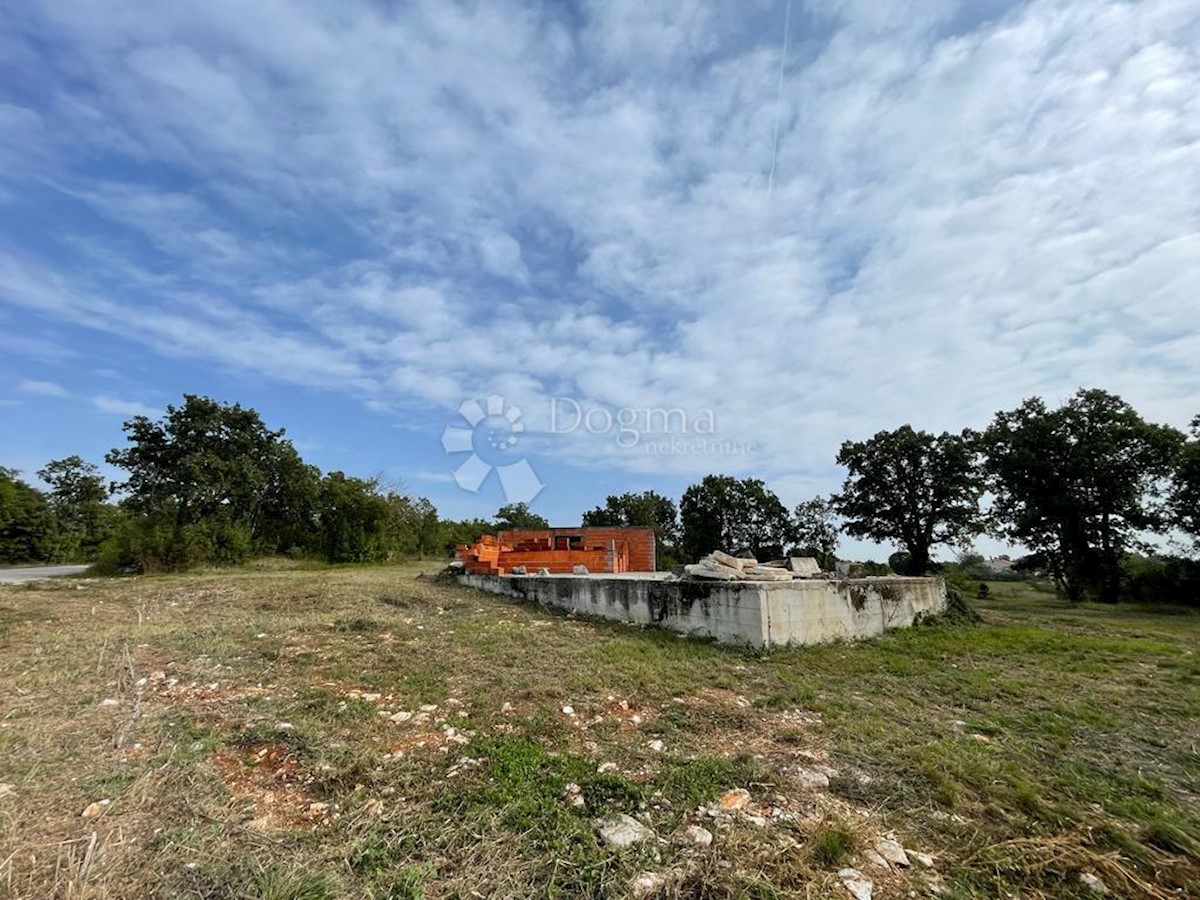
x=1079 y=484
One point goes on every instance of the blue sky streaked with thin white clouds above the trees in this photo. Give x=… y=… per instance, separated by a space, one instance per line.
x=668 y=239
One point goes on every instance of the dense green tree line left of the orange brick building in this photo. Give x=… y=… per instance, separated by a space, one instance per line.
x=211 y=484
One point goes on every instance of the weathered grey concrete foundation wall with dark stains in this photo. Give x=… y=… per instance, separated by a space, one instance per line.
x=760 y=614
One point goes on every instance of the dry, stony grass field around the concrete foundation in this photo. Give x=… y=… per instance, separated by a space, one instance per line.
x=303 y=734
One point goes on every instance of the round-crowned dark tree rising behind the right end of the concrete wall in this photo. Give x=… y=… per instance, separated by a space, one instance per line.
x=914 y=489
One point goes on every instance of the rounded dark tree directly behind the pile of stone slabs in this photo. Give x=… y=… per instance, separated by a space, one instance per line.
x=739 y=517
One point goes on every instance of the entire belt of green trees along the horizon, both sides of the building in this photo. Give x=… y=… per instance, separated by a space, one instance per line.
x=1084 y=487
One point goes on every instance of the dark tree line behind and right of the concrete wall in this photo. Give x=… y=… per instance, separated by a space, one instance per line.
x=1085 y=487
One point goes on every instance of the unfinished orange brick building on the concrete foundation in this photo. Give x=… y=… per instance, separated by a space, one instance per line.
x=560 y=550
